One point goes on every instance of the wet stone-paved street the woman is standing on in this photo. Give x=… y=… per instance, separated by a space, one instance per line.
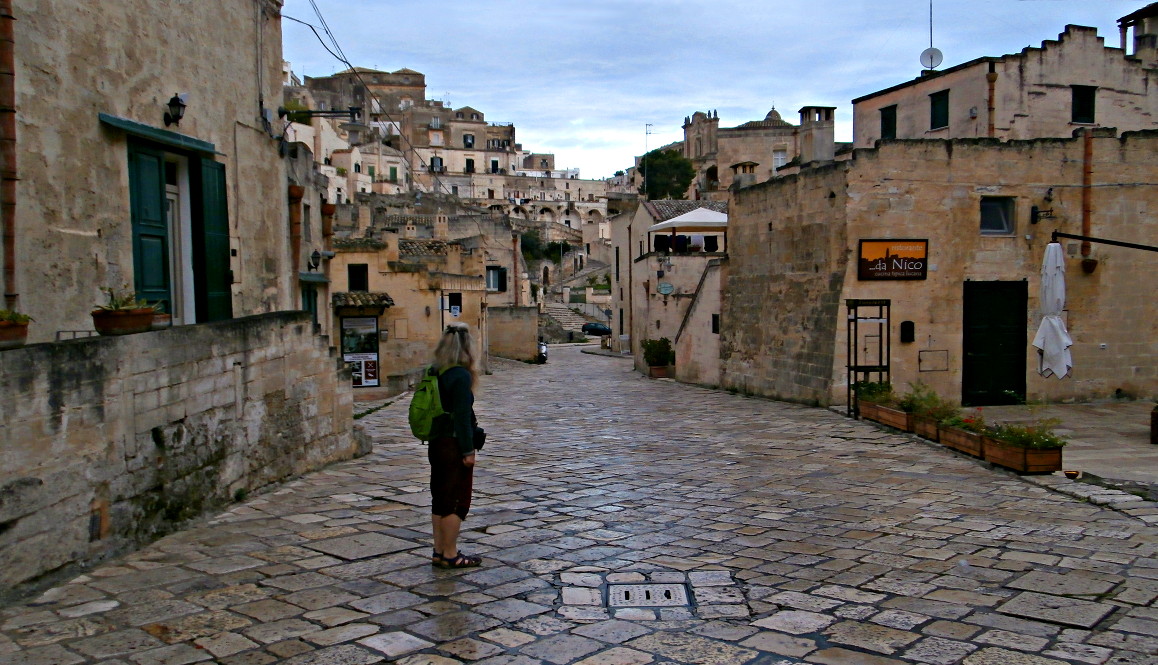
x=627 y=522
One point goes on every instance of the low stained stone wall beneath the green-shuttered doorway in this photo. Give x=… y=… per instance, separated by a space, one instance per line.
x=113 y=442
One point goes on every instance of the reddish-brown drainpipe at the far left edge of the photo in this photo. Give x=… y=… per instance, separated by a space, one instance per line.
x=9 y=150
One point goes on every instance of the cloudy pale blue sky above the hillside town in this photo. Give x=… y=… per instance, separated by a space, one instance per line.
x=583 y=78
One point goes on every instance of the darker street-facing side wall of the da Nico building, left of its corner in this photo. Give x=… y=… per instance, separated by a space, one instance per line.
x=781 y=287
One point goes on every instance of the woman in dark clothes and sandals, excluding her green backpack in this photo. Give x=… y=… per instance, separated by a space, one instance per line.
x=452 y=448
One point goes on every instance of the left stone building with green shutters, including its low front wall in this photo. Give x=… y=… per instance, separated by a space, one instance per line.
x=109 y=442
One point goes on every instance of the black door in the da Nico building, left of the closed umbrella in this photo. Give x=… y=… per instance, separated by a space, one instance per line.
x=994 y=344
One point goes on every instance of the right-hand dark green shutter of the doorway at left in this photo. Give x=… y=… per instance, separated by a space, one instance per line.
x=212 y=276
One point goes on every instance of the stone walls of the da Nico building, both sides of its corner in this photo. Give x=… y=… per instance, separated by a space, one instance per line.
x=794 y=246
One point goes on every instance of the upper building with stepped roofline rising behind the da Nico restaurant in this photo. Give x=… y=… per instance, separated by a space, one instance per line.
x=1069 y=84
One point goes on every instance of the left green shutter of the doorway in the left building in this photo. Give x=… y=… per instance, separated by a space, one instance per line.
x=151 y=225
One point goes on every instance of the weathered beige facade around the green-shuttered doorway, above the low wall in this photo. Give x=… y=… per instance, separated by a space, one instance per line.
x=74 y=224
